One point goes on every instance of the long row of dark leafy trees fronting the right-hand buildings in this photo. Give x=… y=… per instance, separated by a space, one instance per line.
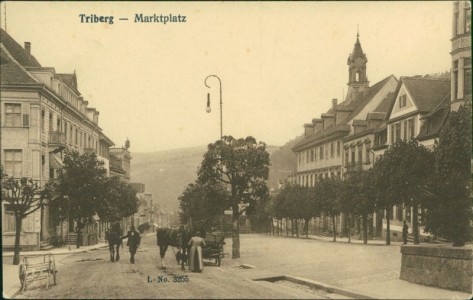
x=409 y=175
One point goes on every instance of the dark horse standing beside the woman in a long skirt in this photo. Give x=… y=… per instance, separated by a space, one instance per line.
x=179 y=238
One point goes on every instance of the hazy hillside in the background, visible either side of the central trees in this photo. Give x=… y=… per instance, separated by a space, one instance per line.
x=167 y=173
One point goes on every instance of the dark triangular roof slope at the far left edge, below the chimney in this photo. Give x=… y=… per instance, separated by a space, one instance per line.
x=11 y=72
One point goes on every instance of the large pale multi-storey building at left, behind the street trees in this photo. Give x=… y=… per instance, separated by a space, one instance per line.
x=42 y=114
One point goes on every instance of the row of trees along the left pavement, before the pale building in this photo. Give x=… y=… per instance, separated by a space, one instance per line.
x=81 y=191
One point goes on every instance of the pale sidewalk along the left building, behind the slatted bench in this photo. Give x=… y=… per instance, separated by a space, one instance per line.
x=11 y=282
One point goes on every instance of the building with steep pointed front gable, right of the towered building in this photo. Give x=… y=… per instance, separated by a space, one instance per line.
x=420 y=108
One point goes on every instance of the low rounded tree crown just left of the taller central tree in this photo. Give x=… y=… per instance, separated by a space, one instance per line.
x=203 y=202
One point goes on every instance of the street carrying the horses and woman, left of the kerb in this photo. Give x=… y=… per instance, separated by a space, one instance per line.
x=92 y=275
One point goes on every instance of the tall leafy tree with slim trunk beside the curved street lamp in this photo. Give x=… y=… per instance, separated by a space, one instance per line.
x=242 y=164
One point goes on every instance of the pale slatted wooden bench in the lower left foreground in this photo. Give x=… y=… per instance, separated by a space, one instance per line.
x=29 y=272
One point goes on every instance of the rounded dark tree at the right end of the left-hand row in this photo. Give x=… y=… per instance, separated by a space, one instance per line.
x=118 y=200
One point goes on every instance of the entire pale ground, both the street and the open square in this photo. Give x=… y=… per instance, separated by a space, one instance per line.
x=350 y=270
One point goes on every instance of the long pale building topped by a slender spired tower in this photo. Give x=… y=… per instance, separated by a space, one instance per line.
x=325 y=152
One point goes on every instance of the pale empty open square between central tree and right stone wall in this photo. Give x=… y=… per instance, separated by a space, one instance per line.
x=340 y=263
